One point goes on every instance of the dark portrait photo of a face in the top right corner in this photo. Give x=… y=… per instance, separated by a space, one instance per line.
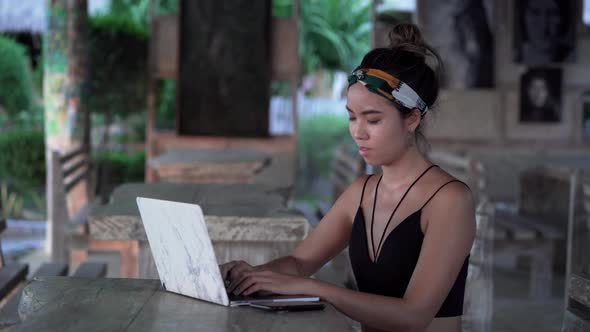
x=544 y=31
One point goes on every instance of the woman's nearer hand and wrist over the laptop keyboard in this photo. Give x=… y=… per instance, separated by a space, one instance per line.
x=269 y=281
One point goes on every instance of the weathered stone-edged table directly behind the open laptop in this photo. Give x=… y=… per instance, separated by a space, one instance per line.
x=245 y=221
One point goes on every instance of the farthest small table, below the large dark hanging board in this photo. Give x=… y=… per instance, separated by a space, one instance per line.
x=210 y=165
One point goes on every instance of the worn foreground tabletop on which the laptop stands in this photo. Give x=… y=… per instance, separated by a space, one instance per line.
x=76 y=304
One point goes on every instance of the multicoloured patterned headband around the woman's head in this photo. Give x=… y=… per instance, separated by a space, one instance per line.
x=390 y=87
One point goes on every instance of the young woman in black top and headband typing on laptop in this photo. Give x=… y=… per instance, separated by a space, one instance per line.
x=409 y=229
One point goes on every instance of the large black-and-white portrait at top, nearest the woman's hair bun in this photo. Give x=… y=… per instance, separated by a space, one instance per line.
x=462 y=32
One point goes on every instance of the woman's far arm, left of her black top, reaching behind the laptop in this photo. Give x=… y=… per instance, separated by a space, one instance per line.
x=328 y=239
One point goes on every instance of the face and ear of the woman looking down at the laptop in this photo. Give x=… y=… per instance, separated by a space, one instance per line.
x=377 y=127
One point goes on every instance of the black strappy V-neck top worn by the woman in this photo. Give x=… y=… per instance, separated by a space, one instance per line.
x=394 y=263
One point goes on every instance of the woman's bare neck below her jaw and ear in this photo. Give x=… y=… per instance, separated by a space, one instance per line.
x=403 y=171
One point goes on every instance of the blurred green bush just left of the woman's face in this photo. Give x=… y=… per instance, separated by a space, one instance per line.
x=318 y=138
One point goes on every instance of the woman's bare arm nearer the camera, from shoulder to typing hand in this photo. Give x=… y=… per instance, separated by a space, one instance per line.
x=447 y=241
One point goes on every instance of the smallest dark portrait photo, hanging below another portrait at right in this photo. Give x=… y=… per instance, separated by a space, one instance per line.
x=540 y=95
